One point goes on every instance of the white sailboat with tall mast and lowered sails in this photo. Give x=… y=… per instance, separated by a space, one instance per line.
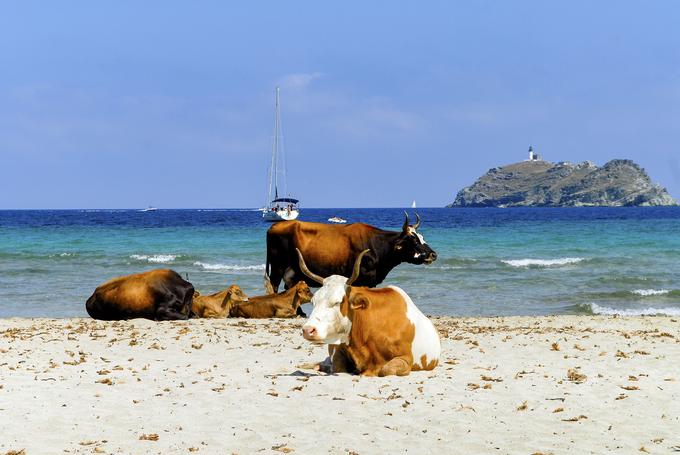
x=278 y=208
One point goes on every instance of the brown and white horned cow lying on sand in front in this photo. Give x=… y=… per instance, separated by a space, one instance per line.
x=376 y=332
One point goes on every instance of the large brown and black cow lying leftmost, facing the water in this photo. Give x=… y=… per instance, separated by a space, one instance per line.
x=159 y=294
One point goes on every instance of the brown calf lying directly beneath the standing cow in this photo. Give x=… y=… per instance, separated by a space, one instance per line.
x=283 y=305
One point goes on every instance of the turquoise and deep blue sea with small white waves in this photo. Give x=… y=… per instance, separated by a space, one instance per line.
x=492 y=262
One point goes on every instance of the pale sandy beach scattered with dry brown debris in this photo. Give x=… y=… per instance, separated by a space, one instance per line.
x=525 y=385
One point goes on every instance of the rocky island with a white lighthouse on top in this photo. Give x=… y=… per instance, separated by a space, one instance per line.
x=538 y=183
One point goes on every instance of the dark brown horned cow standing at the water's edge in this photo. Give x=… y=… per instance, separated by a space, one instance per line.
x=331 y=249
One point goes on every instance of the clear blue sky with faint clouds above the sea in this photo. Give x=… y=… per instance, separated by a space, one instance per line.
x=125 y=104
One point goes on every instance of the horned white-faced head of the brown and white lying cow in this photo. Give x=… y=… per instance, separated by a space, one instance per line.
x=330 y=321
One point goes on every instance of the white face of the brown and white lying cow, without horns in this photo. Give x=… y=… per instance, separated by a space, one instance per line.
x=330 y=325
